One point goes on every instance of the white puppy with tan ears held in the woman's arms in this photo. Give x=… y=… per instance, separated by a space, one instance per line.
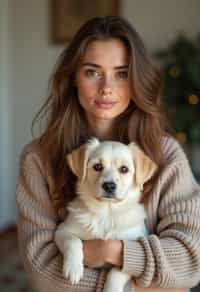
x=110 y=179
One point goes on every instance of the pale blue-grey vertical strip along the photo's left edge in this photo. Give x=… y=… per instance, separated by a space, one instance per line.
x=6 y=124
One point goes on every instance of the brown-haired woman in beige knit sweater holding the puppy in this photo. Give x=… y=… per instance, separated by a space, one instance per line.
x=105 y=86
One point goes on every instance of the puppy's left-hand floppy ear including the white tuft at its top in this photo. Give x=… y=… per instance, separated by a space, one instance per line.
x=78 y=158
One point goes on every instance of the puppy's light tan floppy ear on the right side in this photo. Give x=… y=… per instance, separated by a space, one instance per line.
x=145 y=167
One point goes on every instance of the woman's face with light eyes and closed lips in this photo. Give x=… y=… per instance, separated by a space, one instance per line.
x=102 y=80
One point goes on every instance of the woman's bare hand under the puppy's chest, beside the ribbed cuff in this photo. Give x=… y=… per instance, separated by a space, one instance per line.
x=100 y=252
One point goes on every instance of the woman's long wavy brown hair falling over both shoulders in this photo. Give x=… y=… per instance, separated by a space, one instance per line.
x=66 y=128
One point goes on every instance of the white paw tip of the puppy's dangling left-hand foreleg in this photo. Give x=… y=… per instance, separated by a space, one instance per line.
x=73 y=270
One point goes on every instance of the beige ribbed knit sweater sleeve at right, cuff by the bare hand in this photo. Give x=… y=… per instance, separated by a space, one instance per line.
x=170 y=258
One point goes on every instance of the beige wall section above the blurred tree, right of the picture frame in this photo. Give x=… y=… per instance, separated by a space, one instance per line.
x=159 y=21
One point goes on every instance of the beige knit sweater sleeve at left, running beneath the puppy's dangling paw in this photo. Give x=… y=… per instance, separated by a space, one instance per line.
x=37 y=222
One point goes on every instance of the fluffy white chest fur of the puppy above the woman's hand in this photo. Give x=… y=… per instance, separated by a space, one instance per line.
x=105 y=223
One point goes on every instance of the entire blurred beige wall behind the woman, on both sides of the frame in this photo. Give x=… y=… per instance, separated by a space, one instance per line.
x=29 y=58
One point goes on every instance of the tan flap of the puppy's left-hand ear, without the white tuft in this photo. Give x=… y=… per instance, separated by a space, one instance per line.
x=77 y=161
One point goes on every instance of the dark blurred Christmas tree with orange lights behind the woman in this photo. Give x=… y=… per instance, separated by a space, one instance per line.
x=181 y=87
